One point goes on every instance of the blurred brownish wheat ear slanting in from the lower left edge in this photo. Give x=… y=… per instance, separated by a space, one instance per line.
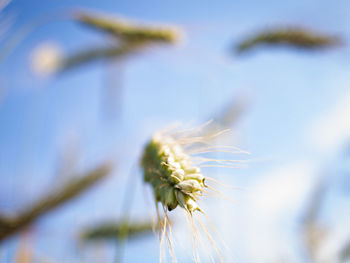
x=10 y=225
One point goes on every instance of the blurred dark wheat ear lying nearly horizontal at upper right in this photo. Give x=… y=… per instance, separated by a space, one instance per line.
x=295 y=37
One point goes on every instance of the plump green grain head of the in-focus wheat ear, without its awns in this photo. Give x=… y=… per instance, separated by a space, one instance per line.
x=175 y=180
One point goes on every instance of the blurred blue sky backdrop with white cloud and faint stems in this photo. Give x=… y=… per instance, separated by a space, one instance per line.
x=291 y=111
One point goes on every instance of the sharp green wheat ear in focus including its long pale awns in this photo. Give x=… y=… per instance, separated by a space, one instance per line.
x=177 y=180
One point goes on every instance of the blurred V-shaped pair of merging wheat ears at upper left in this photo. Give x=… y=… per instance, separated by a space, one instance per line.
x=129 y=38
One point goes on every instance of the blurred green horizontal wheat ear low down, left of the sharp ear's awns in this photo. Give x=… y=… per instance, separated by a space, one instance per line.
x=118 y=230
